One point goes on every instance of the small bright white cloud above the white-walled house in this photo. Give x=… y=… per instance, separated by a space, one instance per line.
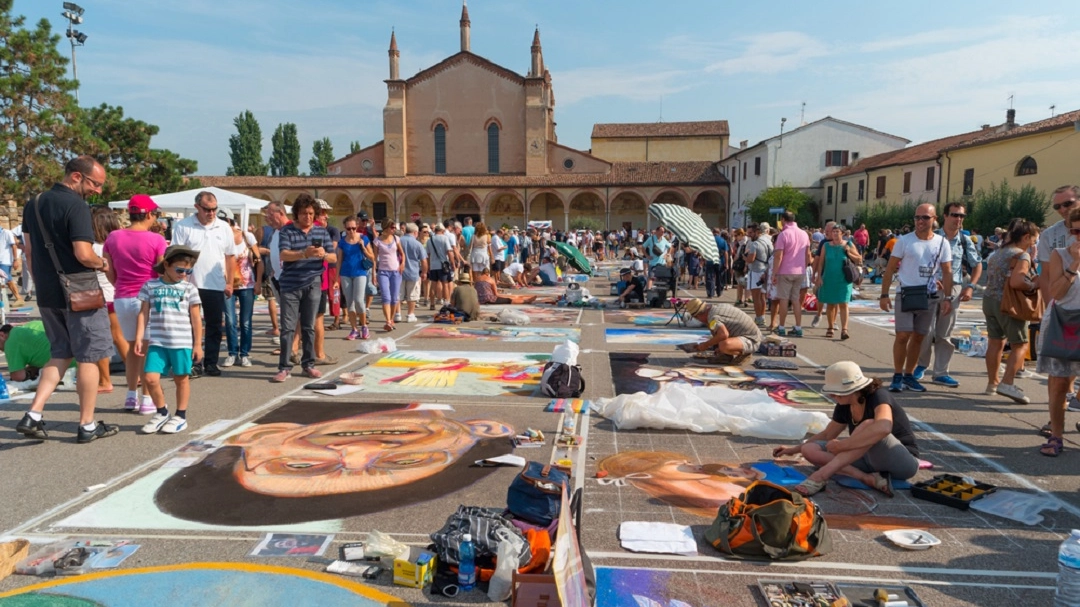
x=772 y=53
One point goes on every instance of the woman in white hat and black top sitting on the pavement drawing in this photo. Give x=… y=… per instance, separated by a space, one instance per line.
x=881 y=446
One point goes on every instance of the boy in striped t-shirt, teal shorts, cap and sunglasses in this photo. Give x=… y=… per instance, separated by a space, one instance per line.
x=170 y=335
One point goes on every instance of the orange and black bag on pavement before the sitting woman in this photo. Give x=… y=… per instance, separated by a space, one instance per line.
x=768 y=522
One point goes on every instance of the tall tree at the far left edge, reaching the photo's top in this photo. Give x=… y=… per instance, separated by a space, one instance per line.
x=39 y=118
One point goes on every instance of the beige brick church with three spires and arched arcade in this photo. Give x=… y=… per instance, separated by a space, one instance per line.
x=470 y=138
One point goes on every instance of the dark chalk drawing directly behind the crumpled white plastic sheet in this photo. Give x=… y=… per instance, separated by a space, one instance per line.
x=647 y=373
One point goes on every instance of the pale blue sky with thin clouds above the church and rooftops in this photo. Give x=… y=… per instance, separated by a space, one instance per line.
x=917 y=70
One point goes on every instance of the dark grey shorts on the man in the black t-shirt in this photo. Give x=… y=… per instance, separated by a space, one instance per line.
x=84 y=336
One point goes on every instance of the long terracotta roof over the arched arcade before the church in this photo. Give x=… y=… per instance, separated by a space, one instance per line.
x=623 y=174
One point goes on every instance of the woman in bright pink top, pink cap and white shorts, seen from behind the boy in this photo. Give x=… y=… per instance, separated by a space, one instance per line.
x=132 y=254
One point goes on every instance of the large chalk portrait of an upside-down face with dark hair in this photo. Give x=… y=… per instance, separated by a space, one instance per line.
x=308 y=465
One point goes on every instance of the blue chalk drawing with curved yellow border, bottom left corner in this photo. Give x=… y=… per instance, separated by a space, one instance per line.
x=200 y=585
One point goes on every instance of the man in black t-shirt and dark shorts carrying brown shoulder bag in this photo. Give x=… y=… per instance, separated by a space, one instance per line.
x=62 y=213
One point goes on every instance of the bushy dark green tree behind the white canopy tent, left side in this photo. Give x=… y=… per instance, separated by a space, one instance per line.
x=123 y=145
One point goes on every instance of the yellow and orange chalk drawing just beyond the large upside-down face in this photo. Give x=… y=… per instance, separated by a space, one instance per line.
x=475 y=374
